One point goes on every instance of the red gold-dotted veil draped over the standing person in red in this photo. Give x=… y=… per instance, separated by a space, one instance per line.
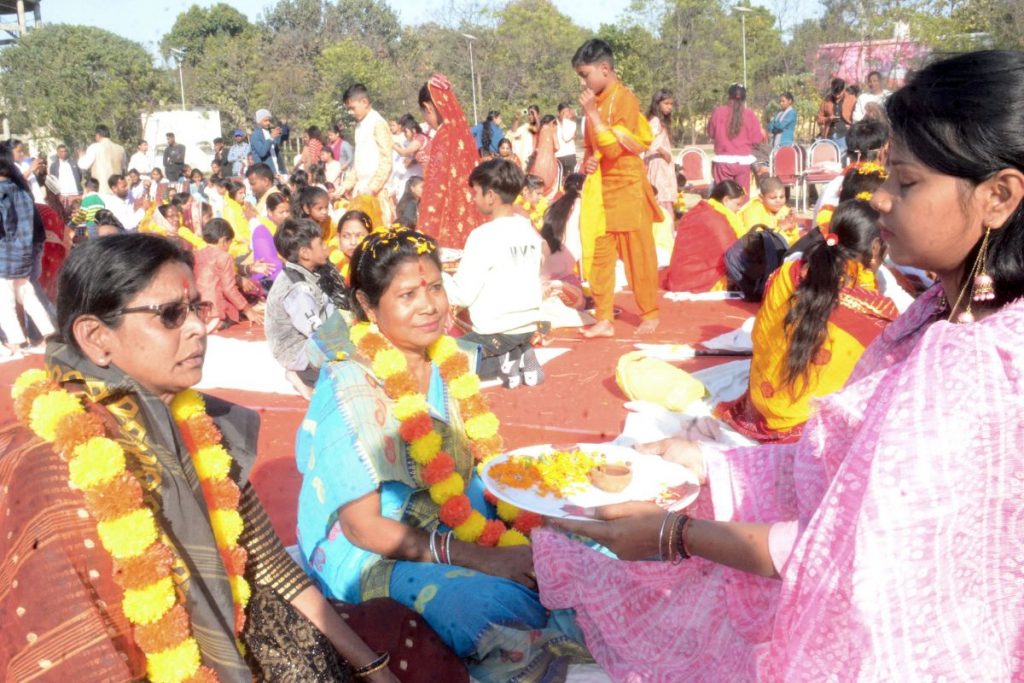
x=447 y=209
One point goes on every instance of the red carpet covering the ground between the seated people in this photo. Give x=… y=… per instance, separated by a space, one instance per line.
x=579 y=401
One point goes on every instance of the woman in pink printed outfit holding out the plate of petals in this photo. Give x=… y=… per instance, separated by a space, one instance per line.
x=887 y=543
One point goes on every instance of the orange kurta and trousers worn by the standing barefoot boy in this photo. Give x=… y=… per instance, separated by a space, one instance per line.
x=630 y=204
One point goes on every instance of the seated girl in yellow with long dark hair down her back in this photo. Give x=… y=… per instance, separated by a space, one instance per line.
x=828 y=311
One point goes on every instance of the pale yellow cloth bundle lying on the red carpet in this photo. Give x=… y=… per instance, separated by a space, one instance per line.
x=658 y=382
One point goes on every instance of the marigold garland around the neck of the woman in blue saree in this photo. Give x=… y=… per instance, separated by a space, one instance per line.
x=437 y=468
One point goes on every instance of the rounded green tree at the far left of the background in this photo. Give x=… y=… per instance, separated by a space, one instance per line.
x=64 y=80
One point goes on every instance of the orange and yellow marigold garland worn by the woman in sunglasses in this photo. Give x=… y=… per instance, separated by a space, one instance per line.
x=127 y=529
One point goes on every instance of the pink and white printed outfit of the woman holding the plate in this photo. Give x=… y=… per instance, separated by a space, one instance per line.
x=904 y=557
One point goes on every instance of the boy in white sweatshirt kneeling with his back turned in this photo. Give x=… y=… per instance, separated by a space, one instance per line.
x=499 y=278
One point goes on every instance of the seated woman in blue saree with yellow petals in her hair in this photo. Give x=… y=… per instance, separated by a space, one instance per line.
x=368 y=524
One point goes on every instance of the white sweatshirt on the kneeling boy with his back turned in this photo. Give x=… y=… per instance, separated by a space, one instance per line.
x=499 y=277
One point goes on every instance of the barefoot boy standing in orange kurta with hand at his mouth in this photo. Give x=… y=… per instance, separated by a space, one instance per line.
x=616 y=139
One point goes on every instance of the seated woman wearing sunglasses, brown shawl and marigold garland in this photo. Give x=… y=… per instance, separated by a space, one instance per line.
x=135 y=517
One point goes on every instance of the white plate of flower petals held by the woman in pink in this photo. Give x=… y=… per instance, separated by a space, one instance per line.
x=671 y=486
